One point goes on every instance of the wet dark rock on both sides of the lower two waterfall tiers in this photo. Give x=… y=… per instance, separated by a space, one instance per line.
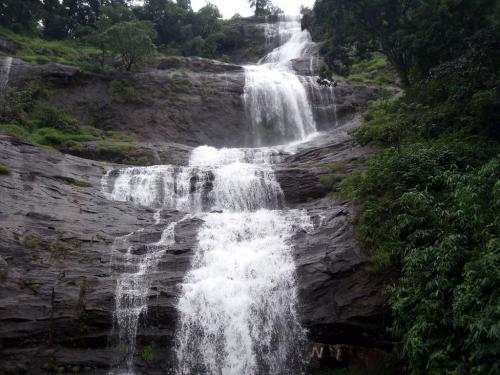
x=58 y=277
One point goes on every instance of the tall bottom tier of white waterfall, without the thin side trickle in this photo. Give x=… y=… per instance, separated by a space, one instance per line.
x=238 y=306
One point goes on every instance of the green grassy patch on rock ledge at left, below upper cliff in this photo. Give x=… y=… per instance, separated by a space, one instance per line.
x=25 y=116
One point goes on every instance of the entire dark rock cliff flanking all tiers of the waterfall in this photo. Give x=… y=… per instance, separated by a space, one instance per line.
x=57 y=228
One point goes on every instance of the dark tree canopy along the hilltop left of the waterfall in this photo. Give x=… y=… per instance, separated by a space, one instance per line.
x=178 y=29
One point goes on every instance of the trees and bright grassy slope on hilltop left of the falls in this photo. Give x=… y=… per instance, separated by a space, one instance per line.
x=98 y=35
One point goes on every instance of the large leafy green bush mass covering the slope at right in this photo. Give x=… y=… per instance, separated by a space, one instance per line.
x=429 y=207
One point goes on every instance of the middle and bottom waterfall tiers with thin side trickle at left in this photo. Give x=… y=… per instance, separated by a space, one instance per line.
x=238 y=304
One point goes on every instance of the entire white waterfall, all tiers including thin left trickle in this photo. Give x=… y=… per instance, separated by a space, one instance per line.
x=238 y=304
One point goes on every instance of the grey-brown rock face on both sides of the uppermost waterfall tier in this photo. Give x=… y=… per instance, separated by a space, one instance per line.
x=183 y=101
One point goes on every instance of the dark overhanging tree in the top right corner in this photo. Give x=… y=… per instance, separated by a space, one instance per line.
x=415 y=35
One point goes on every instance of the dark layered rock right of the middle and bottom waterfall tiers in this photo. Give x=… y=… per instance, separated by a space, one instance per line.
x=342 y=301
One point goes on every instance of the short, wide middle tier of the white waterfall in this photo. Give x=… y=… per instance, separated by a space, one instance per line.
x=227 y=179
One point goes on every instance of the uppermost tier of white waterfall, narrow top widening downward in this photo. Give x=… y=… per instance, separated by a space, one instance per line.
x=276 y=101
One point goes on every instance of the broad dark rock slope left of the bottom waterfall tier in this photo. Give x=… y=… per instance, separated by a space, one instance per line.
x=58 y=281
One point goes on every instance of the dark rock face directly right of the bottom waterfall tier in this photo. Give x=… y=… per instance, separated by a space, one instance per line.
x=342 y=301
